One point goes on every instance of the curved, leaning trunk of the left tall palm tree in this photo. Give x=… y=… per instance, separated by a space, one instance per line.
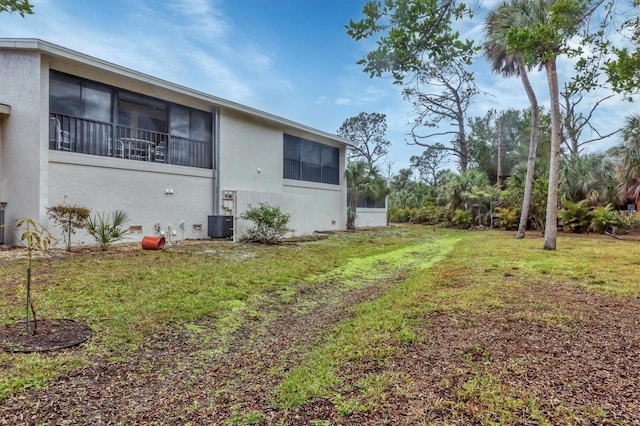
x=533 y=147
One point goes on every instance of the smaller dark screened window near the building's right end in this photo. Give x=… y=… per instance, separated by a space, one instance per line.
x=310 y=161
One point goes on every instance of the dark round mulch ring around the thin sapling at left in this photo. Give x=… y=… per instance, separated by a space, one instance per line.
x=52 y=334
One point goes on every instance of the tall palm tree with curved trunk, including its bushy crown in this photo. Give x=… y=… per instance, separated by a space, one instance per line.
x=508 y=62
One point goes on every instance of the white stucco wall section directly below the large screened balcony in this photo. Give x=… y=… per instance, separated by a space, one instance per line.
x=107 y=184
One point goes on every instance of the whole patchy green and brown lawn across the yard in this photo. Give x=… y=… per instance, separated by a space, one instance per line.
x=403 y=325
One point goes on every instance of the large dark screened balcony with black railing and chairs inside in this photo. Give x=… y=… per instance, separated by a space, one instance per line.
x=93 y=118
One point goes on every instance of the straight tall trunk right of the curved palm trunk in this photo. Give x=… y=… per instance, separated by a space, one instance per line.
x=551 y=226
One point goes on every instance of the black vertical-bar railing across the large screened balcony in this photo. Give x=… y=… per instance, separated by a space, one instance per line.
x=92 y=137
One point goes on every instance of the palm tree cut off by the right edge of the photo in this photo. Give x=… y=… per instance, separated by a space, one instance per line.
x=628 y=155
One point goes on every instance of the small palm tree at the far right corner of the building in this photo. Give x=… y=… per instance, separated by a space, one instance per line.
x=362 y=179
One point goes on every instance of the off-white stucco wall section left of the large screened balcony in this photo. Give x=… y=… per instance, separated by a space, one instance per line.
x=23 y=171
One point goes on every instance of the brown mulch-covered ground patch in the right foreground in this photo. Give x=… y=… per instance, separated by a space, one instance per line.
x=574 y=361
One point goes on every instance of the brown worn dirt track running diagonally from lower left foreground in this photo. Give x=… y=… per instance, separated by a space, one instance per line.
x=178 y=378
